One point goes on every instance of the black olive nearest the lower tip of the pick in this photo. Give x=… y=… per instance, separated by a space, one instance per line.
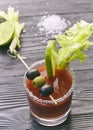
x=46 y=90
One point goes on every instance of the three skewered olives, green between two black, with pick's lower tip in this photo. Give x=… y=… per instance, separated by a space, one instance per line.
x=40 y=82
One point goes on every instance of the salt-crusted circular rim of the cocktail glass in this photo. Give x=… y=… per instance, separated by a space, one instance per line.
x=69 y=92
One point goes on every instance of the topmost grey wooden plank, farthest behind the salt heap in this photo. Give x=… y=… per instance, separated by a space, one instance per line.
x=40 y=7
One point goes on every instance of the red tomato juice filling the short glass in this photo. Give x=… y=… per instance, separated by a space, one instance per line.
x=44 y=107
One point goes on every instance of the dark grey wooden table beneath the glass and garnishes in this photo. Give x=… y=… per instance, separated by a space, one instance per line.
x=14 y=110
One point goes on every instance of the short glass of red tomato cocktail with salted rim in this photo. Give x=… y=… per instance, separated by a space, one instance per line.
x=43 y=109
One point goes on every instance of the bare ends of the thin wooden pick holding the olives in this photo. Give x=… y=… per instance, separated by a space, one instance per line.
x=16 y=54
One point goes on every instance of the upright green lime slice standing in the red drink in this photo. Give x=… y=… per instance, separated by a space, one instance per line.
x=49 y=59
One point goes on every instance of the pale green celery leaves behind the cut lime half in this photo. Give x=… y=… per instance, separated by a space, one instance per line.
x=13 y=17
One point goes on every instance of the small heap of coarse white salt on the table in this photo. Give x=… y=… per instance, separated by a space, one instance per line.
x=53 y=24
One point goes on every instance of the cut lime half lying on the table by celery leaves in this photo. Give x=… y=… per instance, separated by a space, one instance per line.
x=6 y=32
